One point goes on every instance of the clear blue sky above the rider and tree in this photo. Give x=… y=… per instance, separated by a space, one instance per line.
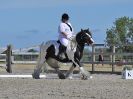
x=25 y=23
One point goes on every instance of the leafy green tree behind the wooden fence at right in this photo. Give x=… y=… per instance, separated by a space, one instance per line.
x=121 y=33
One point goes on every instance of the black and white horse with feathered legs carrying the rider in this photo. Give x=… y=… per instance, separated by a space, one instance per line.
x=74 y=52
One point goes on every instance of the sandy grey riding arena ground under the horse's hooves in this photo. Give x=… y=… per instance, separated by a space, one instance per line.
x=101 y=86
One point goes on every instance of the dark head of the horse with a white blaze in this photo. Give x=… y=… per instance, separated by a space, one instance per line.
x=84 y=36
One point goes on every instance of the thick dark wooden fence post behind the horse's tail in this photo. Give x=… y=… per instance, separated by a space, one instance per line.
x=8 y=59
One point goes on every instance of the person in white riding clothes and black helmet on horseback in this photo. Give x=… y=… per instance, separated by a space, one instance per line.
x=65 y=31
